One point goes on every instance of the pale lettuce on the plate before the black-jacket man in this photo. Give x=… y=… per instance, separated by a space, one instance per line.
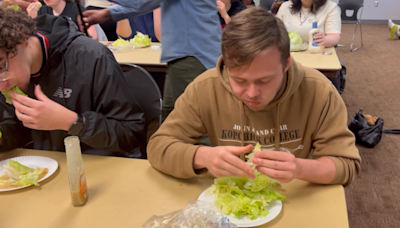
x=17 y=175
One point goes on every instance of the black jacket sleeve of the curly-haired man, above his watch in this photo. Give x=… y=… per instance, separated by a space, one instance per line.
x=116 y=122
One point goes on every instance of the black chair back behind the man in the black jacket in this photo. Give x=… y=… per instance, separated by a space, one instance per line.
x=147 y=93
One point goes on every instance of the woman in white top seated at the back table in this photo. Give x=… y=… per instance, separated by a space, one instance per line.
x=298 y=16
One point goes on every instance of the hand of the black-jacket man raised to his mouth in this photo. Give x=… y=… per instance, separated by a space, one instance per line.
x=42 y=114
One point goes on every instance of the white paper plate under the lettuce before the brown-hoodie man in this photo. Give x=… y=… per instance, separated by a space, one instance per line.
x=274 y=209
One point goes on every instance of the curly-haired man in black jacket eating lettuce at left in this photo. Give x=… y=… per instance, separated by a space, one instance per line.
x=74 y=87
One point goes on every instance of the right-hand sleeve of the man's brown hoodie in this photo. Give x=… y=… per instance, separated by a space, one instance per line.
x=334 y=140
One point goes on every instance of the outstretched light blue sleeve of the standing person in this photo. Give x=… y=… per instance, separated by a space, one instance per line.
x=125 y=8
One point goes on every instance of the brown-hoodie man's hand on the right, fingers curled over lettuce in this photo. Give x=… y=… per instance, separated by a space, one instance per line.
x=281 y=166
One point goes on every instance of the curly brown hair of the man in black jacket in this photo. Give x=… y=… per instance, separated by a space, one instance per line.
x=15 y=28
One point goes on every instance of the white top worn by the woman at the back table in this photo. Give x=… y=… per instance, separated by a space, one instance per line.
x=328 y=16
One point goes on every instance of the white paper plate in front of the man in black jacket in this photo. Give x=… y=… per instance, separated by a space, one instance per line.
x=32 y=162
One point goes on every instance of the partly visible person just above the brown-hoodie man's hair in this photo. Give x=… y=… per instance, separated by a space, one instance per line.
x=227 y=9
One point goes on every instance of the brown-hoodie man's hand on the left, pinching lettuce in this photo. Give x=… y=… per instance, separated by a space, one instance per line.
x=222 y=161
